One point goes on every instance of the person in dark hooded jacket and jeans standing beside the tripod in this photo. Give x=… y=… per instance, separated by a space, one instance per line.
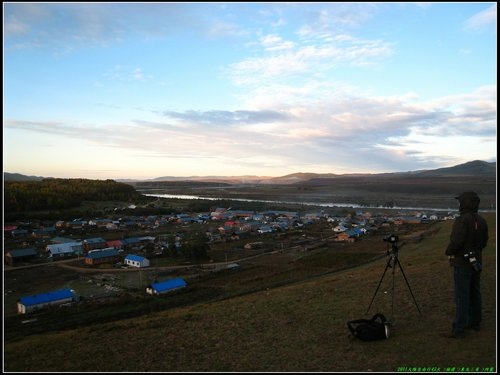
x=468 y=238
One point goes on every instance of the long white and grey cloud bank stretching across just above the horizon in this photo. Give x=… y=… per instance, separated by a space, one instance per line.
x=359 y=134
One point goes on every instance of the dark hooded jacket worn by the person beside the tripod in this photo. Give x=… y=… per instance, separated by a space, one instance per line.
x=469 y=232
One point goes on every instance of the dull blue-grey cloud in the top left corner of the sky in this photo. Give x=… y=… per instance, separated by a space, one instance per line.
x=69 y=26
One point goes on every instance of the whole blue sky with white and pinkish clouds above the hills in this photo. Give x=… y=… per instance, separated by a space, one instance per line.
x=145 y=90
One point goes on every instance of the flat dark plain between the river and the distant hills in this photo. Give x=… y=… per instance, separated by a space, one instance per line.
x=374 y=190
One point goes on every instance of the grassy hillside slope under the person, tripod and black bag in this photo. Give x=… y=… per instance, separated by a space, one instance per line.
x=299 y=327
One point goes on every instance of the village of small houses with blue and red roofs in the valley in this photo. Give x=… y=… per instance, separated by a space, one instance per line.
x=142 y=242
